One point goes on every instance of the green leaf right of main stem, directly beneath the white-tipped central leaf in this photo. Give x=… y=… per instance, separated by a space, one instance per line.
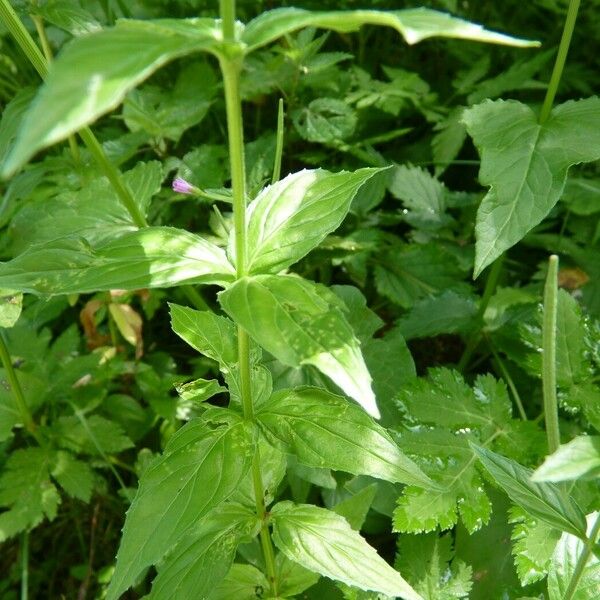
x=326 y=431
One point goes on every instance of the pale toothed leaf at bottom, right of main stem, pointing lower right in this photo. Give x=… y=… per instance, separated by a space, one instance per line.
x=325 y=543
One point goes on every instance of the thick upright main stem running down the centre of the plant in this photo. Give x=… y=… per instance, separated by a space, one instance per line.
x=231 y=67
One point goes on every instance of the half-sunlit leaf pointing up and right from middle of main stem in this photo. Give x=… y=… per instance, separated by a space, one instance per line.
x=291 y=217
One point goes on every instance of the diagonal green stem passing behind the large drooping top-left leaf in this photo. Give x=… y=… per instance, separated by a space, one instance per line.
x=40 y=64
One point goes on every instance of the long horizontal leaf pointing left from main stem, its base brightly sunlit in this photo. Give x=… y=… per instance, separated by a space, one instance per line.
x=149 y=257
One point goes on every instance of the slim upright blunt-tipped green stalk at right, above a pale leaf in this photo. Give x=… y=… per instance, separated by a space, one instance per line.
x=549 y=355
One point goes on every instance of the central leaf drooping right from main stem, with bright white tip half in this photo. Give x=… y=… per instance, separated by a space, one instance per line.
x=302 y=323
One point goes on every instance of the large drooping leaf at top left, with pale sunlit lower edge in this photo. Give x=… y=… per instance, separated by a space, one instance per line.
x=94 y=72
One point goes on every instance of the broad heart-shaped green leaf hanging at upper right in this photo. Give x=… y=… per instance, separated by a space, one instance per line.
x=525 y=164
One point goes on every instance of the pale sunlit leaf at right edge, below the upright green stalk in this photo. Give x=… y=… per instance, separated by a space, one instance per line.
x=579 y=459
